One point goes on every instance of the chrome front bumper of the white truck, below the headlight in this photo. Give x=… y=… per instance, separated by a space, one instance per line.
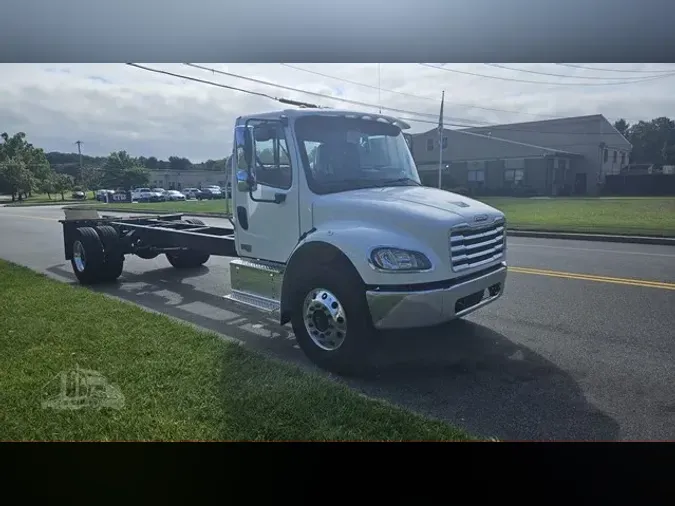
x=394 y=310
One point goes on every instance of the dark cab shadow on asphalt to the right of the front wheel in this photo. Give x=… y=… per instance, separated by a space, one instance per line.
x=479 y=379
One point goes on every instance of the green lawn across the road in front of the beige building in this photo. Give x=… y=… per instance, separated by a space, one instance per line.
x=625 y=216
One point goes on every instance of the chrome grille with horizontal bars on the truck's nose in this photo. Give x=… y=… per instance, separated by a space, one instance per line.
x=476 y=246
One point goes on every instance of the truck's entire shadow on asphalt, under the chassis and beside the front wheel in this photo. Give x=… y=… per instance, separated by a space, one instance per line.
x=461 y=372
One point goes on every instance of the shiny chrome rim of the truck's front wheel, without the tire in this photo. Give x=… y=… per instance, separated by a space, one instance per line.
x=325 y=319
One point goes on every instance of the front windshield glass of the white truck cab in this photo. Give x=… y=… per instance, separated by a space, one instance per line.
x=341 y=154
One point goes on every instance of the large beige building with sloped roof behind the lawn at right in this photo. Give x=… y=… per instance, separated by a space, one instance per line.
x=567 y=156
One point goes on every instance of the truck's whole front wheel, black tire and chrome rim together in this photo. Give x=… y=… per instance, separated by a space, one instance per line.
x=331 y=321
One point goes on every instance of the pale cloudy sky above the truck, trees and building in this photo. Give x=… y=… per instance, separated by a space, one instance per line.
x=113 y=106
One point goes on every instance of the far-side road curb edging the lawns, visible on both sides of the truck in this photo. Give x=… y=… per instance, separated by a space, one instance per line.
x=541 y=234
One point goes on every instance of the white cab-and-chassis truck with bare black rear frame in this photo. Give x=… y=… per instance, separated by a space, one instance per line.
x=332 y=231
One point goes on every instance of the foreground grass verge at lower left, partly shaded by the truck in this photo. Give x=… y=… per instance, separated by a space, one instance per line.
x=178 y=383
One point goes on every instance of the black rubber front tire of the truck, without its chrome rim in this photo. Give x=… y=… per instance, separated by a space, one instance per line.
x=354 y=355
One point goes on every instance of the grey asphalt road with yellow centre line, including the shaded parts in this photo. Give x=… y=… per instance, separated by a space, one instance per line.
x=580 y=347
